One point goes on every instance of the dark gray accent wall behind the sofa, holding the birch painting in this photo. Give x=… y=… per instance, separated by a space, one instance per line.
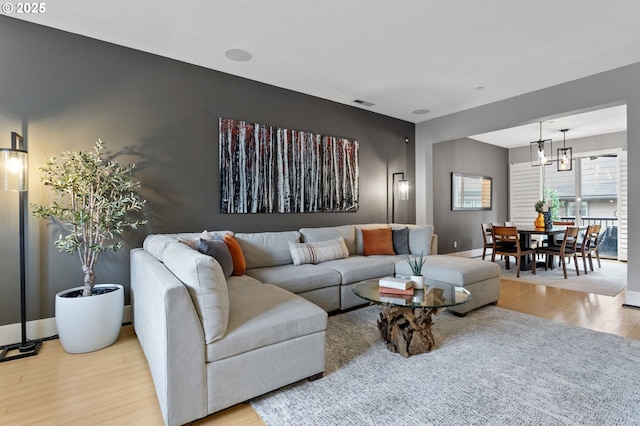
x=63 y=91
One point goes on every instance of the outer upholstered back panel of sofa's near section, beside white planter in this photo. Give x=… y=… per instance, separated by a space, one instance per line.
x=171 y=335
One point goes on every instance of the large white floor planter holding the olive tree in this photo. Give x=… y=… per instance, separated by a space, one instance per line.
x=87 y=324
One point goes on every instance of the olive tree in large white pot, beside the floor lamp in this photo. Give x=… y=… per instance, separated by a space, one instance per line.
x=95 y=199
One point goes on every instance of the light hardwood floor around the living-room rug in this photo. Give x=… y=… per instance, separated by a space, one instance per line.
x=113 y=386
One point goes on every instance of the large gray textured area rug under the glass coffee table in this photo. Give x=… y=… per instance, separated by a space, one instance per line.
x=492 y=367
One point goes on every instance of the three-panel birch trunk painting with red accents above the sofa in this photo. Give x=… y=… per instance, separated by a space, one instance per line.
x=264 y=169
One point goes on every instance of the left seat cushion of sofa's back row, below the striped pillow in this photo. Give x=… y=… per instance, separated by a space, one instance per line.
x=297 y=279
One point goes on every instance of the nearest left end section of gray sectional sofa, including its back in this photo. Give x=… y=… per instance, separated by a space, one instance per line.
x=271 y=337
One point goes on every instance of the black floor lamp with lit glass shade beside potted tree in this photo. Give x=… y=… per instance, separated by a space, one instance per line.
x=13 y=177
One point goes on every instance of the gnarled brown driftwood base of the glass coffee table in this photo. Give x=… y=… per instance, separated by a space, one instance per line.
x=407 y=330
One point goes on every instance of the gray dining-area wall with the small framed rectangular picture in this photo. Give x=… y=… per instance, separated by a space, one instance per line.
x=476 y=158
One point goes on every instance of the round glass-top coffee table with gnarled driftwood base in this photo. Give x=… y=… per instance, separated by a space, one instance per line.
x=405 y=320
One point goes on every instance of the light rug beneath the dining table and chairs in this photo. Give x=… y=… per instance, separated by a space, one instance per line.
x=608 y=280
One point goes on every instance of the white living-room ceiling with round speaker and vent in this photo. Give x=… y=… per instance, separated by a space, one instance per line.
x=438 y=55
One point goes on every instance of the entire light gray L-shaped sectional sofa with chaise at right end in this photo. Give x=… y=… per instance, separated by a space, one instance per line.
x=213 y=341
